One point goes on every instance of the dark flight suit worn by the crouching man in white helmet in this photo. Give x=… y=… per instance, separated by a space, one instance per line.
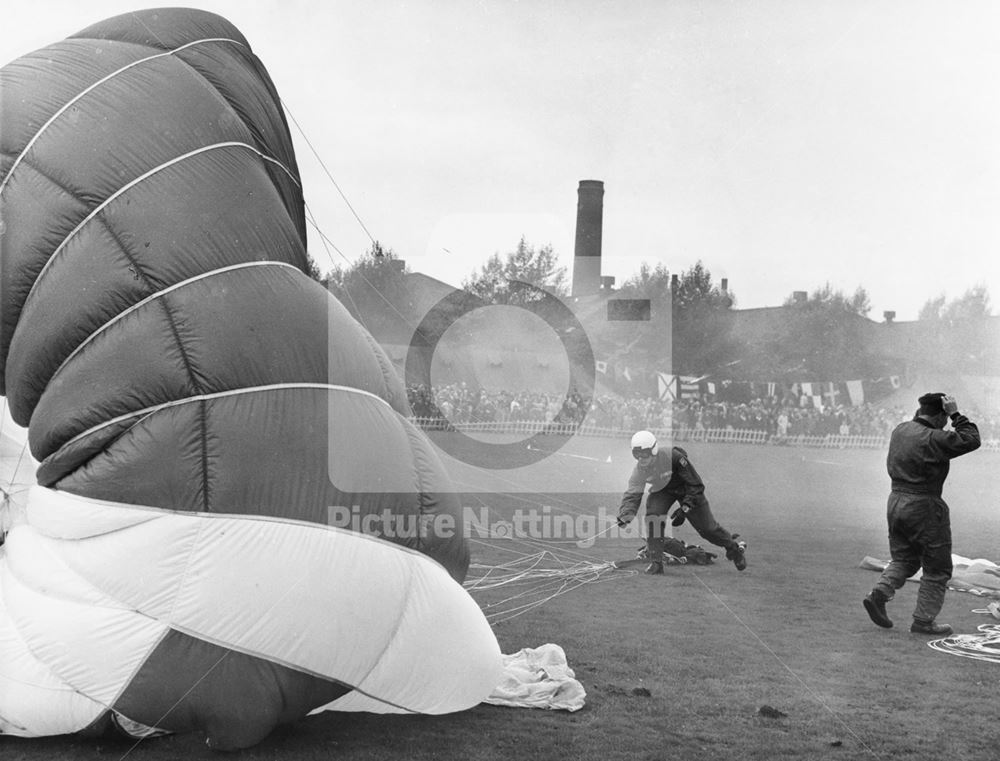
x=671 y=478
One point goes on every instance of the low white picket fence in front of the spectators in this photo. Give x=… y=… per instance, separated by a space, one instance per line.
x=708 y=435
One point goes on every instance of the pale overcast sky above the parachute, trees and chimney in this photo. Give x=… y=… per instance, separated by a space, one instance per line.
x=785 y=144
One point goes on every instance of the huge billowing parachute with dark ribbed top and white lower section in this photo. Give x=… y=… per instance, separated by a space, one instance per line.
x=204 y=416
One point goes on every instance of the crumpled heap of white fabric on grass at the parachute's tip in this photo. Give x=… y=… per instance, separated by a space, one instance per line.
x=538 y=678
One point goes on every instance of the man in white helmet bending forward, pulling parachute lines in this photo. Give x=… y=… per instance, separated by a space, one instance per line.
x=671 y=478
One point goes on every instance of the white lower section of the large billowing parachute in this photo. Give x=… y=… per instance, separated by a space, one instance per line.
x=128 y=574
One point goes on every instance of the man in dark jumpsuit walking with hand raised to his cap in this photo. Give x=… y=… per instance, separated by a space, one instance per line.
x=919 y=523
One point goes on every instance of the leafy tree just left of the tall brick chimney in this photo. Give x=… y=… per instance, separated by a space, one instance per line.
x=537 y=267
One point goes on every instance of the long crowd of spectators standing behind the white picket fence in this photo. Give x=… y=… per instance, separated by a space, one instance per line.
x=780 y=419
